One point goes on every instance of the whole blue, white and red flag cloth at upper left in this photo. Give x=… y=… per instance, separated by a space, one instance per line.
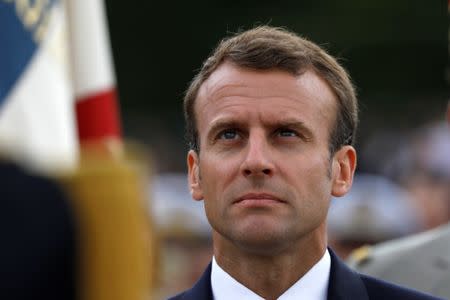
x=57 y=85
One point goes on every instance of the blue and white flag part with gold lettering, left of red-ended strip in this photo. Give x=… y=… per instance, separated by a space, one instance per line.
x=37 y=125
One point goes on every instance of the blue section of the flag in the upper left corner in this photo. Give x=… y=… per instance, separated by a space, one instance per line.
x=16 y=46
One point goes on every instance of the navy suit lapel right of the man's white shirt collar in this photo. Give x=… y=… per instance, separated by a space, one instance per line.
x=344 y=283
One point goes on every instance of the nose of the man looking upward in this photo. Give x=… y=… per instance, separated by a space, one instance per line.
x=258 y=160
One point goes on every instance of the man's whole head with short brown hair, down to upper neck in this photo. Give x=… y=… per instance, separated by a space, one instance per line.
x=263 y=114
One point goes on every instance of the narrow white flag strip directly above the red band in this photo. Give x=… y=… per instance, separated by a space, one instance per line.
x=90 y=53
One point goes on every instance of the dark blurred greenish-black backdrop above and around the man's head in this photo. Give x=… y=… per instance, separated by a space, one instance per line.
x=396 y=52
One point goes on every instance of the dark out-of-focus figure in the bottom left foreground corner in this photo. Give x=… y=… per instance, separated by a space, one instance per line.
x=37 y=229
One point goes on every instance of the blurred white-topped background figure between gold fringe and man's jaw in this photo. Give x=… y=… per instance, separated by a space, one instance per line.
x=184 y=234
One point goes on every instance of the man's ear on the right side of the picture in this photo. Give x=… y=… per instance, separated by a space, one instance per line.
x=343 y=169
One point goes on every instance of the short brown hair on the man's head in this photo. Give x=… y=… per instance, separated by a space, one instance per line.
x=265 y=48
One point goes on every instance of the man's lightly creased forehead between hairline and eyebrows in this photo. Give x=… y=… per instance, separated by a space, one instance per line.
x=231 y=88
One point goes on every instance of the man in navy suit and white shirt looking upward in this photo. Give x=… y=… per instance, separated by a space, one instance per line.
x=271 y=119
